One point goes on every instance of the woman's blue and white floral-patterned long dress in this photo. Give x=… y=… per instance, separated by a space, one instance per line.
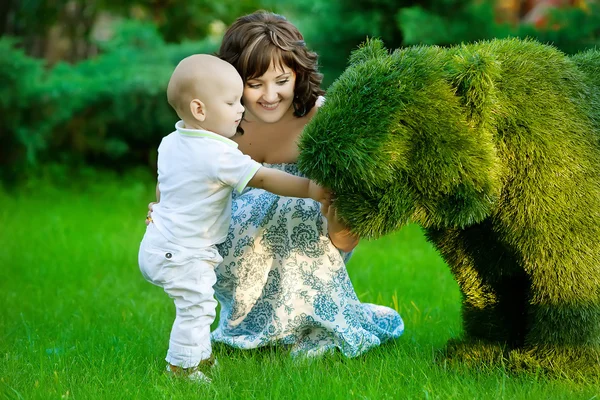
x=282 y=282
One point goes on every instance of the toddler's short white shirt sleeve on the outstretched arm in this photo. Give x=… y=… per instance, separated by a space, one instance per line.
x=235 y=169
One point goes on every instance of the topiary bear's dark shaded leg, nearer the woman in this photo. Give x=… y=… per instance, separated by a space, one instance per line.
x=494 y=293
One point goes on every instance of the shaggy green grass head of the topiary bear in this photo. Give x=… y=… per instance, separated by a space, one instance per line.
x=397 y=141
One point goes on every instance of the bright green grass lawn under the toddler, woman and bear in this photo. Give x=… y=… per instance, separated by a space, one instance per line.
x=77 y=320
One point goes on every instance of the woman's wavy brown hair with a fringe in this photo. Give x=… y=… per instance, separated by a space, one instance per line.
x=253 y=41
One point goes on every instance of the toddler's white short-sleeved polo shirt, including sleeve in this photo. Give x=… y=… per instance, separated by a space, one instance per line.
x=197 y=171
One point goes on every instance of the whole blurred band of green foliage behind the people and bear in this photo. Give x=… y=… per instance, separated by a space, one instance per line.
x=82 y=82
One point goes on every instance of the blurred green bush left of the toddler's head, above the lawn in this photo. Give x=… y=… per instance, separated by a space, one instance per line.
x=109 y=110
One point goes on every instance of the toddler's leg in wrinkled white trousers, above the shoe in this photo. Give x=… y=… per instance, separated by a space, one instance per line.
x=192 y=291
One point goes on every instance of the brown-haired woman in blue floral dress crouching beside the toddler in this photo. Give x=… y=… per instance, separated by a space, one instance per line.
x=283 y=279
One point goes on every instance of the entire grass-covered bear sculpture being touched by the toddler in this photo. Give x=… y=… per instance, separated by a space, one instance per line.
x=494 y=148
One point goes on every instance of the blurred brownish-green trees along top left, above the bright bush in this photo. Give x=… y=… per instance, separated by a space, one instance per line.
x=41 y=24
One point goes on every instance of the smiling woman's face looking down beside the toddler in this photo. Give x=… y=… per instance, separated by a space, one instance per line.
x=269 y=97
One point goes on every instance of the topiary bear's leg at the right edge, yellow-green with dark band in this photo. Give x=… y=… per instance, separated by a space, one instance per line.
x=564 y=320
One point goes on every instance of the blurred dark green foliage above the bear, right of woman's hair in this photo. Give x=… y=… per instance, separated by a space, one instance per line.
x=334 y=29
